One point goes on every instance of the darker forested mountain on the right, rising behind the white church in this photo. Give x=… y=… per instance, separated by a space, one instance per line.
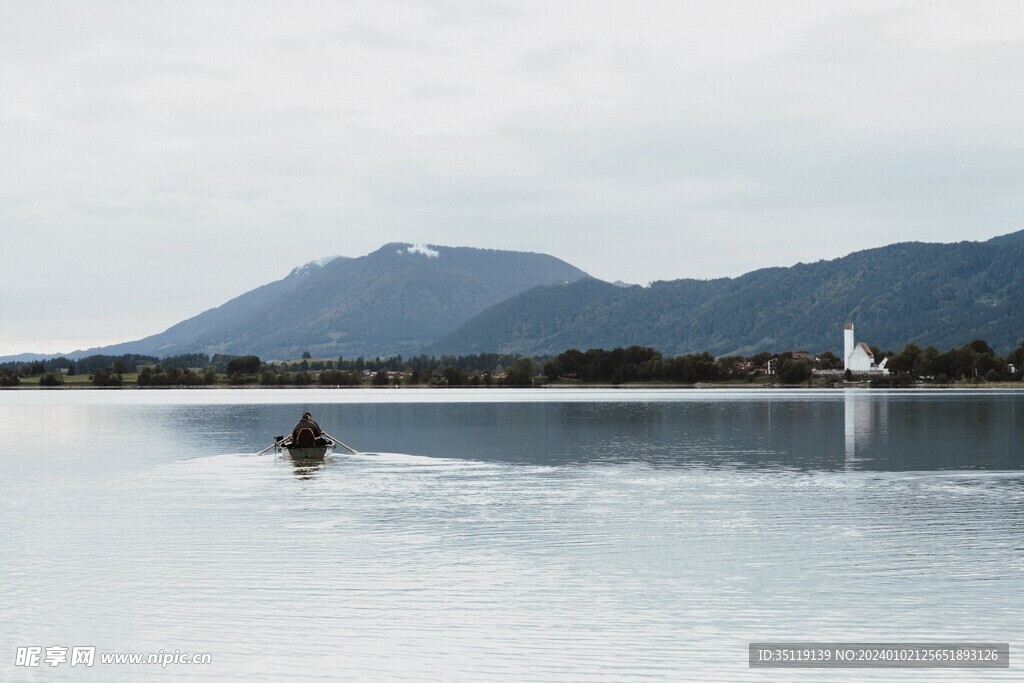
x=942 y=294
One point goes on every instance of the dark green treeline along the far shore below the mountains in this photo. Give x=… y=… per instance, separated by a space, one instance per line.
x=974 y=364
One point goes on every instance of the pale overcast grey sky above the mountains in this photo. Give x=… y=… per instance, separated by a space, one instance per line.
x=158 y=159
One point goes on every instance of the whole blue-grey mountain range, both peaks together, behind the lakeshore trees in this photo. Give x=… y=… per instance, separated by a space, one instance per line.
x=408 y=298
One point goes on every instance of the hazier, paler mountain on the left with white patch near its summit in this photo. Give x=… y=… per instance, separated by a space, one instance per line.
x=396 y=301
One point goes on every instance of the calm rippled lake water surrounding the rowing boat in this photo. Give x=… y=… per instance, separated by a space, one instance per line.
x=506 y=536
